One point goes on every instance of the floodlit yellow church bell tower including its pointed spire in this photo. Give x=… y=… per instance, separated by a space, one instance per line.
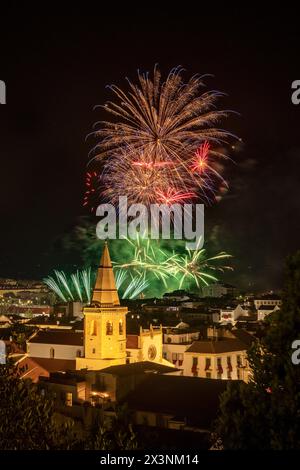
x=104 y=322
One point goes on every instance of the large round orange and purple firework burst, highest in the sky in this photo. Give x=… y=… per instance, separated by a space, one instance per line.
x=154 y=145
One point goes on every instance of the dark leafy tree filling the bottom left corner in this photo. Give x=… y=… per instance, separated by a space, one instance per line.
x=27 y=417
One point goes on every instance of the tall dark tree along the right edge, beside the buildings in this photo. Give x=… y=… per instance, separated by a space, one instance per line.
x=264 y=414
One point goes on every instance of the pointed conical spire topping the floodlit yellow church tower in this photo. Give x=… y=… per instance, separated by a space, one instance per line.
x=105 y=291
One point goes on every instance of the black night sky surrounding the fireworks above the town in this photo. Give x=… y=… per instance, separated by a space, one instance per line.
x=56 y=69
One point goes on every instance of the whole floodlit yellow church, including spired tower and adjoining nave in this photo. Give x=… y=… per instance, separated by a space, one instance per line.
x=103 y=341
